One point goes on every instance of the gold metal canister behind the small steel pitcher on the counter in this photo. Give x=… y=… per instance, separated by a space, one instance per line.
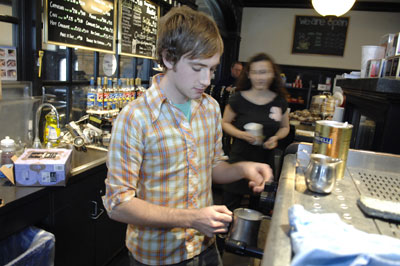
x=333 y=139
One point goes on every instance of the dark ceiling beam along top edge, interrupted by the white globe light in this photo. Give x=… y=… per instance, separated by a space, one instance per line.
x=359 y=6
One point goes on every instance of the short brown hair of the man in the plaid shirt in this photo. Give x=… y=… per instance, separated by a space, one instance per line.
x=186 y=32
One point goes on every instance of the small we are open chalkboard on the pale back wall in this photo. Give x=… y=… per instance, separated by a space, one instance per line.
x=320 y=35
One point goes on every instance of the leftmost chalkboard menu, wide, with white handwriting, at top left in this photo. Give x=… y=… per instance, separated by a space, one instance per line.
x=67 y=23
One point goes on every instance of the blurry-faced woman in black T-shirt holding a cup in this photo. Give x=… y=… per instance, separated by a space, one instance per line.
x=256 y=117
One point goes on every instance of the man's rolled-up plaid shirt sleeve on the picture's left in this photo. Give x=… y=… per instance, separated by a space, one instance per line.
x=123 y=160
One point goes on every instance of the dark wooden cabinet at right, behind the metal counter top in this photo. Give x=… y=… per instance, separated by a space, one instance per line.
x=373 y=108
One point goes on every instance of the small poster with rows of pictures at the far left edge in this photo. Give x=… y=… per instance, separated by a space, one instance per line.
x=8 y=63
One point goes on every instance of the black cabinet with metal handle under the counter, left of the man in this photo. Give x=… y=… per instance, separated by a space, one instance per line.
x=85 y=235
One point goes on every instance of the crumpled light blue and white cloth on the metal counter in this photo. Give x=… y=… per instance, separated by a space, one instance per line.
x=324 y=239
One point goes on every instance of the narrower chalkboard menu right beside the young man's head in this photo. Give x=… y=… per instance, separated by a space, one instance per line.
x=138 y=28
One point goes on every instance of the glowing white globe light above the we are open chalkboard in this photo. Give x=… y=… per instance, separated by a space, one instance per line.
x=332 y=7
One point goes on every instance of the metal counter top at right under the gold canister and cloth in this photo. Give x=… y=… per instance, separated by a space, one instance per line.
x=367 y=173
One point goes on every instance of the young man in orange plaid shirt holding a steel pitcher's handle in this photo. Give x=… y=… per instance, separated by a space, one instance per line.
x=166 y=151
